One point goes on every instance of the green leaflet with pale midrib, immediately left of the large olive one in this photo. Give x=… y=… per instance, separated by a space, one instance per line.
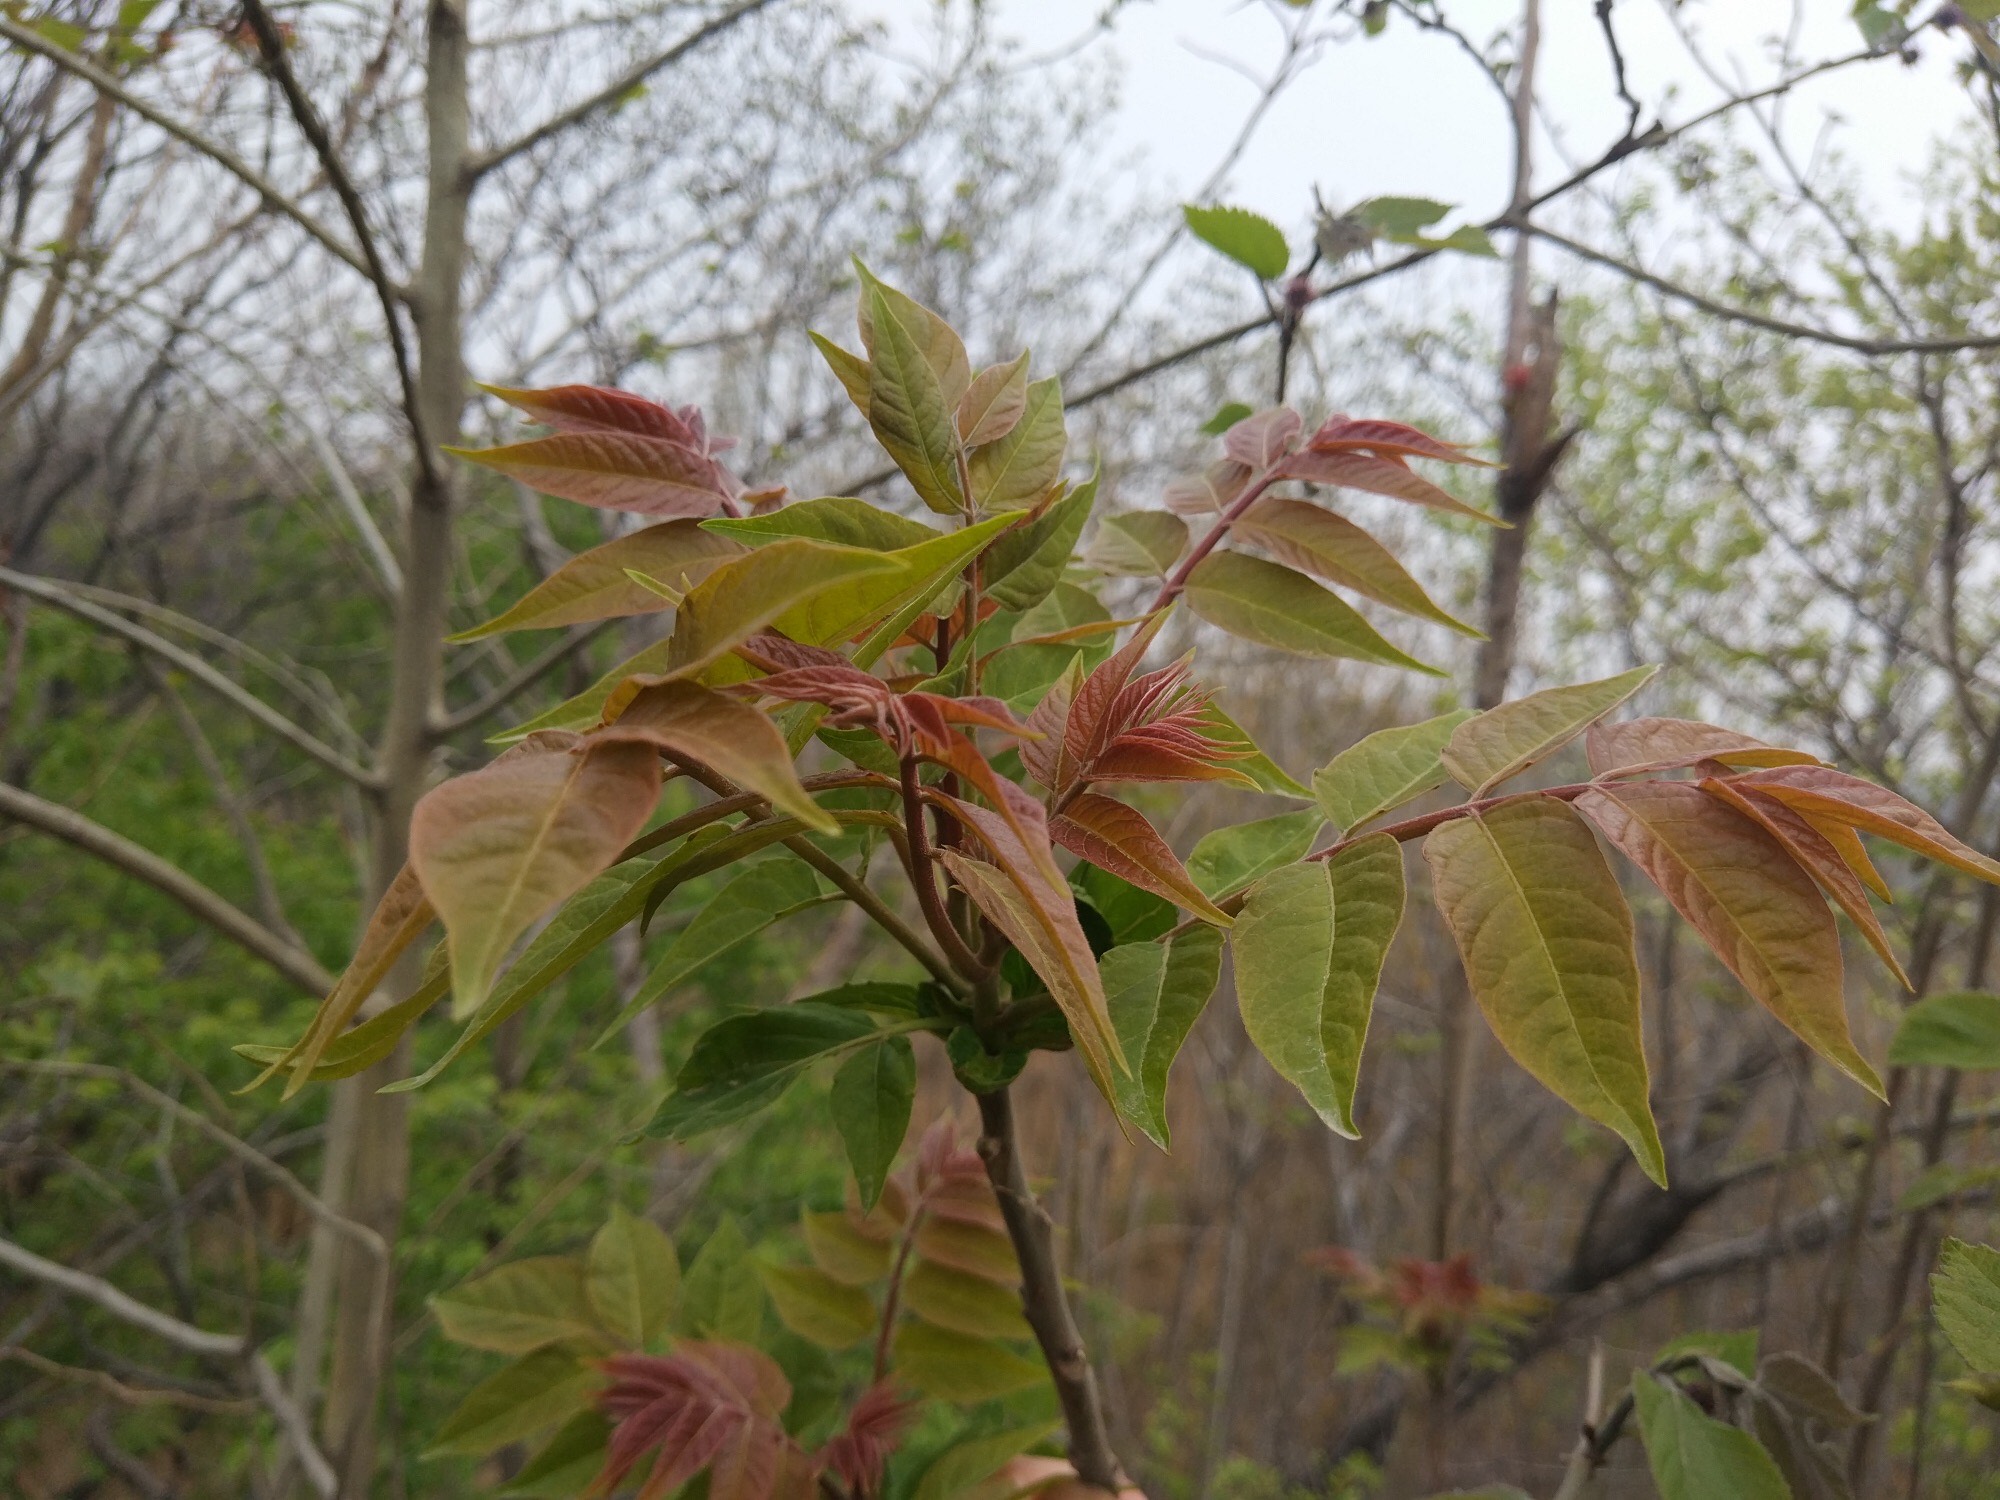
x=1309 y=959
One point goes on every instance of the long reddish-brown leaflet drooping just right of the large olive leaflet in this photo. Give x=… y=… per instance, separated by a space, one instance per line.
x=1761 y=915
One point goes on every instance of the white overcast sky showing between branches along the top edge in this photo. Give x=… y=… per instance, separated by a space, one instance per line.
x=1411 y=115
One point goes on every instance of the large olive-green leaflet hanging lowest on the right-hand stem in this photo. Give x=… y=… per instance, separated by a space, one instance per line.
x=1547 y=943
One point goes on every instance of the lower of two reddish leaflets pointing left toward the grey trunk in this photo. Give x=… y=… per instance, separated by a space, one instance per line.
x=613 y=471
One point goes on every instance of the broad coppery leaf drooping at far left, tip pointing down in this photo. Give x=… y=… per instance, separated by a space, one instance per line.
x=501 y=847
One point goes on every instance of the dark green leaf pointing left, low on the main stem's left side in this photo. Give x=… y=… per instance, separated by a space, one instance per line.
x=745 y=1063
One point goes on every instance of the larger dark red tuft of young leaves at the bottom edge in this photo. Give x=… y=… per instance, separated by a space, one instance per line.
x=703 y=1407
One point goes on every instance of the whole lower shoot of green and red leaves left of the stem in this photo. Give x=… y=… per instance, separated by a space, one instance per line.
x=639 y=1373
